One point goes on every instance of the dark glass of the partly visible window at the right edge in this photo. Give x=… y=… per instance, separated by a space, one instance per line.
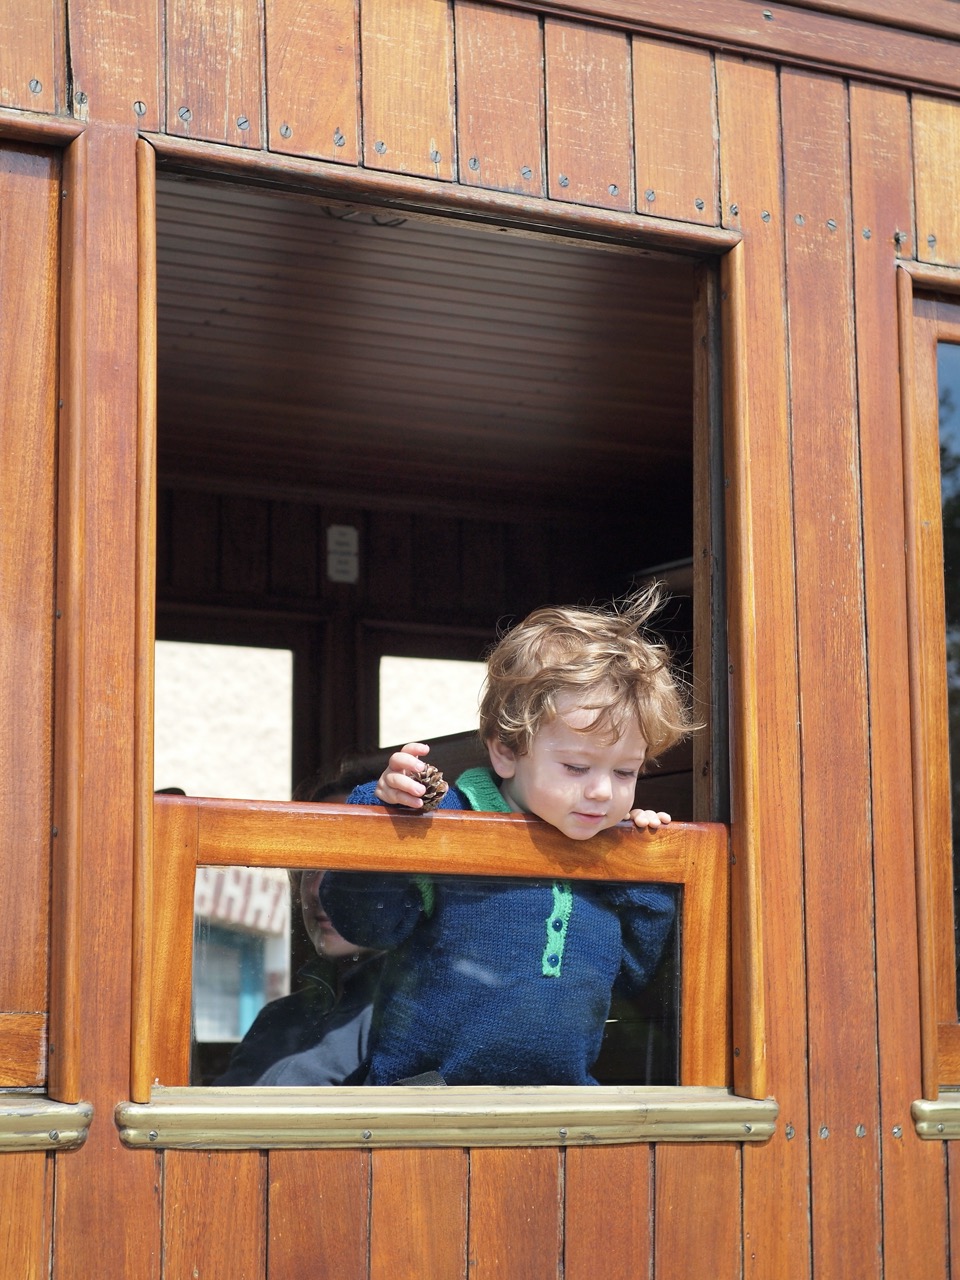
x=949 y=394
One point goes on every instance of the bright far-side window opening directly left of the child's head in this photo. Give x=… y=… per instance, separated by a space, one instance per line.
x=426 y=698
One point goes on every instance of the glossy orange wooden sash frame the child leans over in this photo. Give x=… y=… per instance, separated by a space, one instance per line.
x=193 y=833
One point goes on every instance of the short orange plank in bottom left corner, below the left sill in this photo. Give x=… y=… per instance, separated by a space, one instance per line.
x=26 y=1194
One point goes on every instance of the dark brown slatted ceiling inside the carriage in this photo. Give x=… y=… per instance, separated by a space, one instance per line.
x=348 y=354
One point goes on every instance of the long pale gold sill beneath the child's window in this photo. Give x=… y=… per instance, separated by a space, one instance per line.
x=461 y=1117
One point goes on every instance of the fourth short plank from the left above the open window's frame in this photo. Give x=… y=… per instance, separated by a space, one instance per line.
x=500 y=99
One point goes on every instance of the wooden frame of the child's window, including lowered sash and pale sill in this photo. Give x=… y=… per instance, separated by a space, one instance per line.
x=721 y=1098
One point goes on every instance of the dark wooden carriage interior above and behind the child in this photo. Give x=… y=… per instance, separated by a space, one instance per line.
x=505 y=419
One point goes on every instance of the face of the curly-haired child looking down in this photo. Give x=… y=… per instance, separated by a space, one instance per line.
x=579 y=781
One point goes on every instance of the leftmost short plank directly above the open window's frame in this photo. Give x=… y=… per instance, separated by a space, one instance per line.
x=213 y=71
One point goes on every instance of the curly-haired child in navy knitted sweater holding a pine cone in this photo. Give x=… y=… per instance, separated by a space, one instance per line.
x=499 y=981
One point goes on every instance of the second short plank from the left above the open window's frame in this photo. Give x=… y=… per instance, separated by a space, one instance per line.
x=313 y=79
